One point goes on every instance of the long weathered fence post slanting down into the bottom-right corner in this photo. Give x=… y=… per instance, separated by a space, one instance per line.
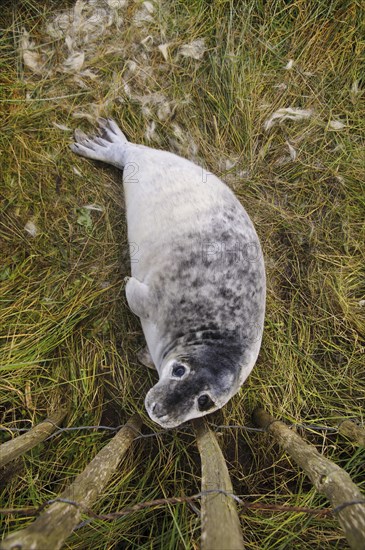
x=328 y=478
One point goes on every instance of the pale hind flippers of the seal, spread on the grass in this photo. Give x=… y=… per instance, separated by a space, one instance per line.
x=108 y=146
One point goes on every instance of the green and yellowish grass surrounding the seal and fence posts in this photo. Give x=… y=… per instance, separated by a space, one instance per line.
x=66 y=331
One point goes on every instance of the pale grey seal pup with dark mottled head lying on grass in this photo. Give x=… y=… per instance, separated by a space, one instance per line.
x=198 y=278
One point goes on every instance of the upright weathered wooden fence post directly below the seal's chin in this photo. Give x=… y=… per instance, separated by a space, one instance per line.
x=220 y=522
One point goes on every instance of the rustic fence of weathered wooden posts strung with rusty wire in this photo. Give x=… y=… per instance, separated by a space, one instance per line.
x=57 y=518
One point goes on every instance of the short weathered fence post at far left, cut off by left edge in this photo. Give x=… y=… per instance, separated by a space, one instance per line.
x=19 y=445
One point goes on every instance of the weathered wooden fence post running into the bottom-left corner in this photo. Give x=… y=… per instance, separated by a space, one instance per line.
x=57 y=522
